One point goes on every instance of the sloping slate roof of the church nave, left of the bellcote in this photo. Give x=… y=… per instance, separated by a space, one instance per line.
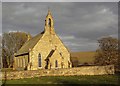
x=29 y=44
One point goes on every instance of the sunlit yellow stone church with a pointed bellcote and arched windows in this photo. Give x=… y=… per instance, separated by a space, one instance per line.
x=44 y=51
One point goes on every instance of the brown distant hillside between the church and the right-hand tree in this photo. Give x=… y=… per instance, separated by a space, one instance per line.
x=82 y=57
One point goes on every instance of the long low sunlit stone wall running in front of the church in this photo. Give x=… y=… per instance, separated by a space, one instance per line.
x=88 y=70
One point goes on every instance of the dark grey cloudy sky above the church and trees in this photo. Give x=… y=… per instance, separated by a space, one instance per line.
x=78 y=24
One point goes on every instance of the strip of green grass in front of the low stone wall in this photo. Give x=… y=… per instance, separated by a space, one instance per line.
x=104 y=79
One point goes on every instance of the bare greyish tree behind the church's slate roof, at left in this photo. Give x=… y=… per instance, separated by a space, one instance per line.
x=11 y=43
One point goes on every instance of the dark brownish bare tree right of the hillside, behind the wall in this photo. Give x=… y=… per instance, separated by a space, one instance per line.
x=108 y=52
